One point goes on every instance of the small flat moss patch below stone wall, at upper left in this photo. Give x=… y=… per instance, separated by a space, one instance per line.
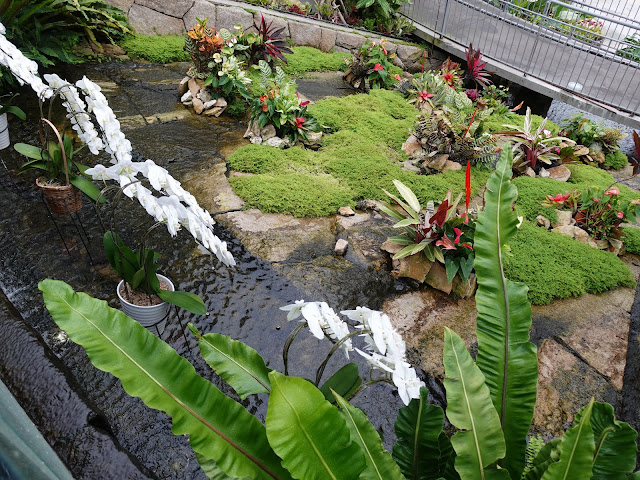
x=156 y=48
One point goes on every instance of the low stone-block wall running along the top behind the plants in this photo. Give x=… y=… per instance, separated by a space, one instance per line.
x=163 y=17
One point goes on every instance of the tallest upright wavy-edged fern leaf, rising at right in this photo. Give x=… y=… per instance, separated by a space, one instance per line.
x=505 y=356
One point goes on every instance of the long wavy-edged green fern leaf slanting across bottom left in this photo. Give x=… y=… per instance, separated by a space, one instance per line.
x=218 y=427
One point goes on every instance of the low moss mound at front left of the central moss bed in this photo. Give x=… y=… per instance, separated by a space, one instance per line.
x=299 y=195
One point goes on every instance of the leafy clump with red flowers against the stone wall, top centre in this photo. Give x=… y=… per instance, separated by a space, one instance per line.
x=371 y=67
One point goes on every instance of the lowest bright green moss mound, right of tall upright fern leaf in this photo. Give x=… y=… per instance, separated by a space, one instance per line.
x=556 y=266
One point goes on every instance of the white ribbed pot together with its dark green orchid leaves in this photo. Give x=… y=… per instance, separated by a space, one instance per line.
x=144 y=294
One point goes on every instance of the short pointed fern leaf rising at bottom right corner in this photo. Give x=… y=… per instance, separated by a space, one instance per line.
x=577 y=449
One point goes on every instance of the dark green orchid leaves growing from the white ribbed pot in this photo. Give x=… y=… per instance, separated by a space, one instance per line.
x=138 y=269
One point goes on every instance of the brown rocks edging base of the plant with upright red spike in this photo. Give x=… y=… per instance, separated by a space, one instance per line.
x=419 y=268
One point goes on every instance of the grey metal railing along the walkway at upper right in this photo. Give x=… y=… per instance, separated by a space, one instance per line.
x=588 y=47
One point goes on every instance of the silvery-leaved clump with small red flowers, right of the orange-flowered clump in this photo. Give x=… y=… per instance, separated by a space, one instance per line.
x=279 y=104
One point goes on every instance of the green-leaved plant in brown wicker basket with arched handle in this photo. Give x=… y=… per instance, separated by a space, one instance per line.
x=64 y=180
